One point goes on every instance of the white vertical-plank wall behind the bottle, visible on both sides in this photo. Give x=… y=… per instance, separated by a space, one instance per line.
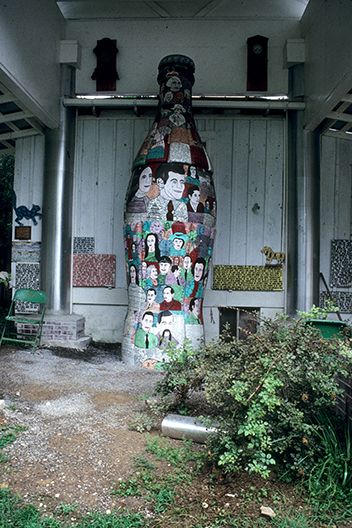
x=248 y=159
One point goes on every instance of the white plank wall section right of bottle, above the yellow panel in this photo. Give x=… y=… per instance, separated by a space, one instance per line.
x=248 y=169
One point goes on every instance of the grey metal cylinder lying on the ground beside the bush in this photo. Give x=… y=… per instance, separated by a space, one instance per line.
x=186 y=427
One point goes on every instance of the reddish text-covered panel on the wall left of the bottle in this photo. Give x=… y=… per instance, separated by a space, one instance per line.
x=94 y=270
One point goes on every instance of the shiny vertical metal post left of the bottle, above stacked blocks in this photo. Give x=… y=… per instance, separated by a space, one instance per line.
x=57 y=208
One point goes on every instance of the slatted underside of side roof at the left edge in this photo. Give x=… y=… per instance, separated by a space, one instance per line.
x=15 y=121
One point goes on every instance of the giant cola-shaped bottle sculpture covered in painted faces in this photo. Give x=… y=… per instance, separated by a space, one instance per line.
x=169 y=225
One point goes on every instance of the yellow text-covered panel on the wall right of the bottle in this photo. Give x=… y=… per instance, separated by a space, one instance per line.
x=247 y=278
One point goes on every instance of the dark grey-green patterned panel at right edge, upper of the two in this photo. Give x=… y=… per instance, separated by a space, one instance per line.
x=341 y=263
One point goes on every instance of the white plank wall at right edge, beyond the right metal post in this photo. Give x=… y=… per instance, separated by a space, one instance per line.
x=335 y=197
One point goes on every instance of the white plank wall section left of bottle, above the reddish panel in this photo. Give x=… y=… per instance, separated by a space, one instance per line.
x=105 y=151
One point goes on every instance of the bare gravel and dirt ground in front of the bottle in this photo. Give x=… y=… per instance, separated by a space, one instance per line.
x=75 y=408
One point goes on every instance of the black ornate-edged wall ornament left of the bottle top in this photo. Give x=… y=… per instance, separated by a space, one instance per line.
x=105 y=74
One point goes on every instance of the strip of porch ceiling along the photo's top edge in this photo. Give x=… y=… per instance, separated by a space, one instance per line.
x=197 y=9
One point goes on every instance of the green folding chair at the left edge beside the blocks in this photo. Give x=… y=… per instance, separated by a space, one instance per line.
x=25 y=327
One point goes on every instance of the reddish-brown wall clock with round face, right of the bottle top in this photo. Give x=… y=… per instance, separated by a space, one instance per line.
x=257 y=64
